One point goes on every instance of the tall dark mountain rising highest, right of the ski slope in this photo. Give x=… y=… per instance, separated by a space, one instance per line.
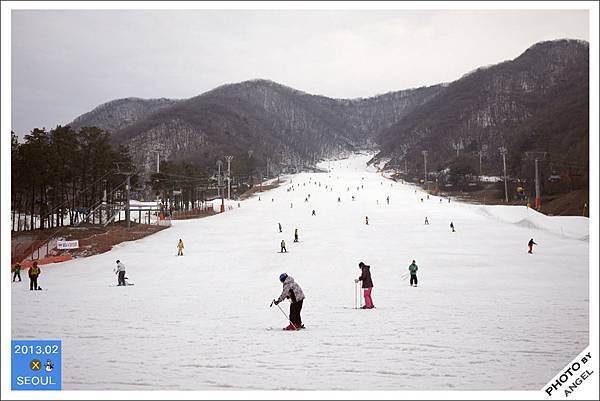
x=537 y=102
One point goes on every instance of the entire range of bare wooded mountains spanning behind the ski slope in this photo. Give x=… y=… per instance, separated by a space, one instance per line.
x=537 y=102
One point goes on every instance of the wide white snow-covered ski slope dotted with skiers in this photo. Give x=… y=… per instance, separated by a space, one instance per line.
x=486 y=314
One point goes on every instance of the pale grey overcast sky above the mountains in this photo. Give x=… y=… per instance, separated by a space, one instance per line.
x=64 y=63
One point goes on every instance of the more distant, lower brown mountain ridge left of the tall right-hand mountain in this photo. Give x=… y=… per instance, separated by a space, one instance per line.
x=273 y=121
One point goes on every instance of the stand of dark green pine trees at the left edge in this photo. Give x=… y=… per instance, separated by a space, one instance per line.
x=59 y=175
